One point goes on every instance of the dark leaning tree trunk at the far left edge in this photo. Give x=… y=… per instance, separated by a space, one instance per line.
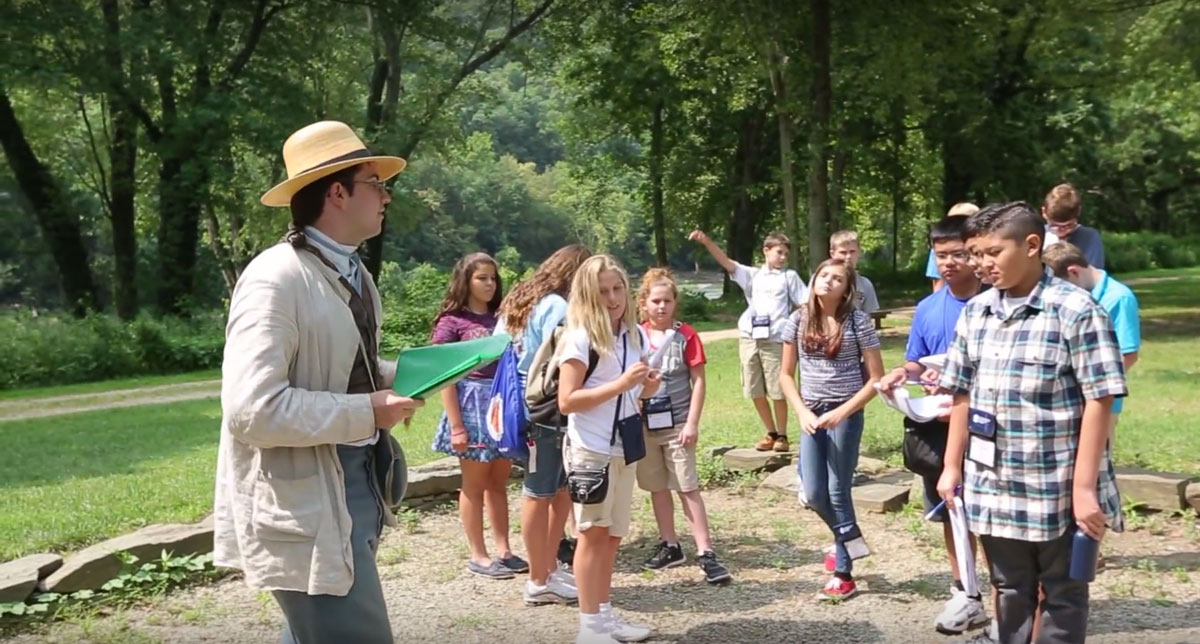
x=59 y=225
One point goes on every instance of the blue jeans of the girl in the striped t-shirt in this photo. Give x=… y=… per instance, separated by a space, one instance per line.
x=829 y=459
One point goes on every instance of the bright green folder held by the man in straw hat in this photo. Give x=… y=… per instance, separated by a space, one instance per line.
x=424 y=371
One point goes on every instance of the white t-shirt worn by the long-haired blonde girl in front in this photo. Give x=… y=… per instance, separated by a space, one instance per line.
x=593 y=429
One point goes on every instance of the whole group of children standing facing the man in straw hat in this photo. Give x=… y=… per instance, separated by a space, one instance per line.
x=1034 y=368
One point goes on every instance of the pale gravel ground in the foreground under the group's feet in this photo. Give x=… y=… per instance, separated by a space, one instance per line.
x=1145 y=594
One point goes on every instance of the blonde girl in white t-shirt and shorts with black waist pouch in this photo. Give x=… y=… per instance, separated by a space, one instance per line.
x=604 y=434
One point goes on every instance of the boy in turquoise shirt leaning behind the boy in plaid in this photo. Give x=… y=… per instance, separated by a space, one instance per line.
x=1070 y=263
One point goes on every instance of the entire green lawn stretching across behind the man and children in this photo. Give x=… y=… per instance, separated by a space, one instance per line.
x=74 y=480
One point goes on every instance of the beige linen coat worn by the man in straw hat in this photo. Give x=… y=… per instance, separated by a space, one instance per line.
x=280 y=507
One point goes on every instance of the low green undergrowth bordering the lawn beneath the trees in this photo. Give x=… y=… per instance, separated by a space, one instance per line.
x=56 y=351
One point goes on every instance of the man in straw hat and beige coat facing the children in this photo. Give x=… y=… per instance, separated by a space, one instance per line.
x=308 y=470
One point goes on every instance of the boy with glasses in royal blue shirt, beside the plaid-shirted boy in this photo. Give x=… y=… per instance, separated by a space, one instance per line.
x=933 y=329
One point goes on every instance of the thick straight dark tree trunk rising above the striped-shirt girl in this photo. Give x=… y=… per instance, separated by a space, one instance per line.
x=823 y=107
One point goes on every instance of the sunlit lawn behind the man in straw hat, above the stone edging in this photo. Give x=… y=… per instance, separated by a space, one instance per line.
x=74 y=480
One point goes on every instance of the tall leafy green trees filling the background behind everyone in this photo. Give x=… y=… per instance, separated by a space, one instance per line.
x=140 y=135
